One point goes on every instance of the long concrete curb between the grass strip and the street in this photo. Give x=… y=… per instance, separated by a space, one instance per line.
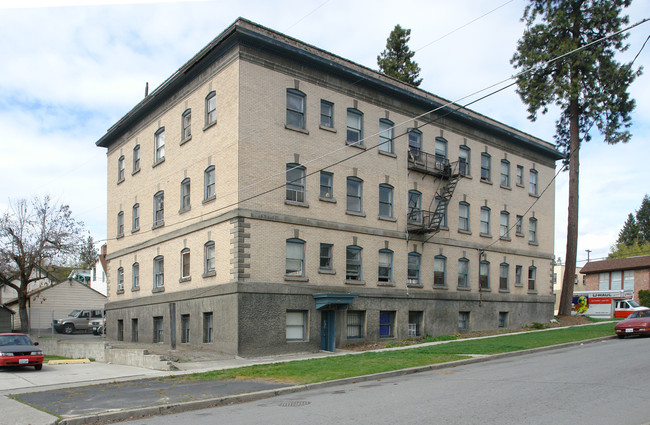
x=138 y=413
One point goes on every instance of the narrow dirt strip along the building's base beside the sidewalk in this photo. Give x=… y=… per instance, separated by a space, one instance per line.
x=559 y=321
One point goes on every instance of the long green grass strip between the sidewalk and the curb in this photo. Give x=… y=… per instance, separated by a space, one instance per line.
x=330 y=368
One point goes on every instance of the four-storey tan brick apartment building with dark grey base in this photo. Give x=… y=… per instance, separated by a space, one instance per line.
x=271 y=197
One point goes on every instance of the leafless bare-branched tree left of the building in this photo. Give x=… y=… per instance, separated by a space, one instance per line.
x=33 y=234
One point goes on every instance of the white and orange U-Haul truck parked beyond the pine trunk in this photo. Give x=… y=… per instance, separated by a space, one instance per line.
x=613 y=304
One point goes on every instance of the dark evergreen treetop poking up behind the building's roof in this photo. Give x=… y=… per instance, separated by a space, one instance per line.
x=396 y=60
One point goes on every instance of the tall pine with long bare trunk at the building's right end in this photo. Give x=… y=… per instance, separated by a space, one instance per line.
x=588 y=86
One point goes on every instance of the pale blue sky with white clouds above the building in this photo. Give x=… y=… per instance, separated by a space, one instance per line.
x=70 y=69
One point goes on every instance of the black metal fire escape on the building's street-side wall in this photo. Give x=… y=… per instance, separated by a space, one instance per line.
x=422 y=221
